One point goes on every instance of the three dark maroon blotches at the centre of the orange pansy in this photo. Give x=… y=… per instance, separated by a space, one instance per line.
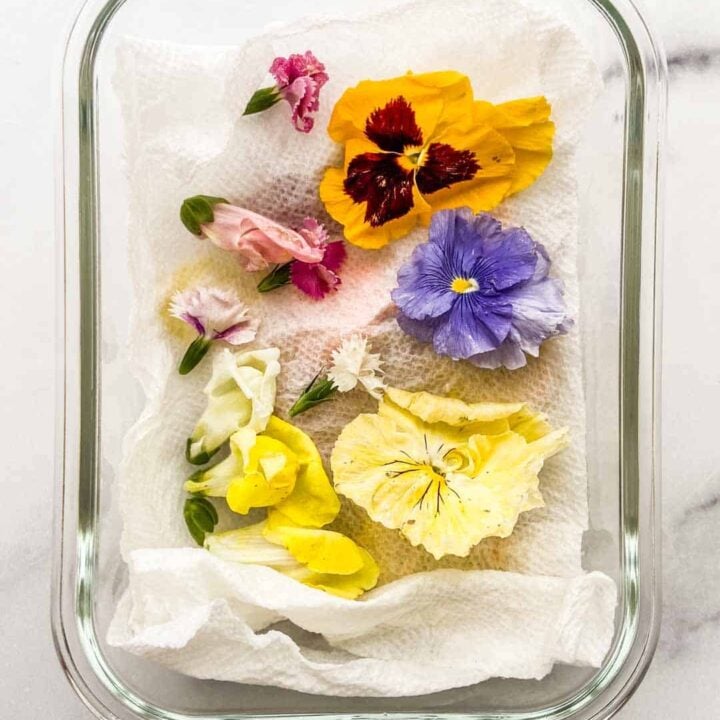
x=386 y=186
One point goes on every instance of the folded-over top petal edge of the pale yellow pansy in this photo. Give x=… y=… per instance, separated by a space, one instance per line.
x=435 y=408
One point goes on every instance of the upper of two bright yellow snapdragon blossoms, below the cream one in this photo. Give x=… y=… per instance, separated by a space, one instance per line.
x=279 y=468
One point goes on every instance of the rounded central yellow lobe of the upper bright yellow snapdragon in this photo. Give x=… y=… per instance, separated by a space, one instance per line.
x=269 y=475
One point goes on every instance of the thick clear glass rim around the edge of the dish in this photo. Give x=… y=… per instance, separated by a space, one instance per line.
x=77 y=644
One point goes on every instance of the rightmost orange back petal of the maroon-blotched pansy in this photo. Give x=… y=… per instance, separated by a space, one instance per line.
x=526 y=125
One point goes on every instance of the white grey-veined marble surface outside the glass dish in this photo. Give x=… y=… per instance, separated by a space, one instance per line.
x=683 y=680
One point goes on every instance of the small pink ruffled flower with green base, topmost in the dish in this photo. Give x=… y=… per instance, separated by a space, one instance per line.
x=298 y=80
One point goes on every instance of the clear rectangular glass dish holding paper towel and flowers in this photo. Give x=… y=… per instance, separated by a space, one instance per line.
x=619 y=195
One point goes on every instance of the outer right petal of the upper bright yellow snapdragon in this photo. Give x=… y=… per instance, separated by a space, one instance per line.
x=313 y=502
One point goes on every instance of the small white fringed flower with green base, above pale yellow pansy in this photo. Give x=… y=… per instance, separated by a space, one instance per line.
x=352 y=364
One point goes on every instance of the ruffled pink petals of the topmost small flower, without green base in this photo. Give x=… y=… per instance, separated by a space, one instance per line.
x=299 y=81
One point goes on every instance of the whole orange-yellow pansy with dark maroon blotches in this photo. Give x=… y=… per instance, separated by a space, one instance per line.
x=421 y=143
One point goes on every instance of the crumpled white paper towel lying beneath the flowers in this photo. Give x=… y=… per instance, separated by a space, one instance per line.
x=428 y=627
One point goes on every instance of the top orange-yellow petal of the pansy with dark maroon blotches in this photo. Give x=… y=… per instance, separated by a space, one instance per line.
x=428 y=94
